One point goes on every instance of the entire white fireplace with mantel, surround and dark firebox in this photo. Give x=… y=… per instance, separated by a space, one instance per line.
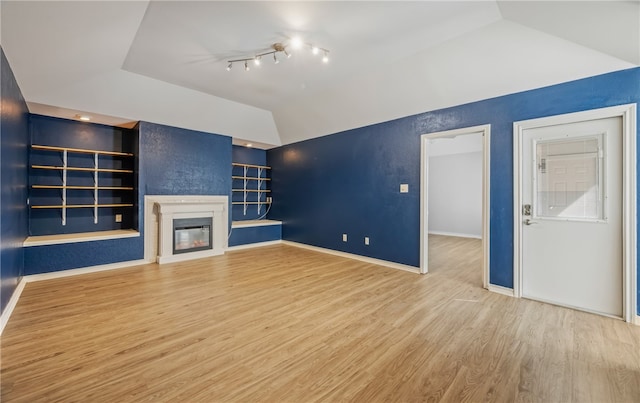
x=180 y=228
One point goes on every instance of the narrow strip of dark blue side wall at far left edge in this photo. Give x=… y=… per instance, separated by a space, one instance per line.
x=14 y=133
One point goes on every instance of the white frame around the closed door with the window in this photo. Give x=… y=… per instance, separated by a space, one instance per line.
x=629 y=219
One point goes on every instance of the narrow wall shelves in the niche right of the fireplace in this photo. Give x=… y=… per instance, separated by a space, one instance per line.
x=251 y=174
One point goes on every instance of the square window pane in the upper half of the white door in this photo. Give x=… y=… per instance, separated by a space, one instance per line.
x=568 y=179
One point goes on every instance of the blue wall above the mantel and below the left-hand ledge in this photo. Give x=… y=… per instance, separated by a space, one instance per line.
x=171 y=161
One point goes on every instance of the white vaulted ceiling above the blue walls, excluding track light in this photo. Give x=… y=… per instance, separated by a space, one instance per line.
x=164 y=61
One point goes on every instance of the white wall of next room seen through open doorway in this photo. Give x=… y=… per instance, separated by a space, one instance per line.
x=455 y=186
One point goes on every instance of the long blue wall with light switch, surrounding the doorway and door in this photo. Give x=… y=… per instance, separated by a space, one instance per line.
x=349 y=182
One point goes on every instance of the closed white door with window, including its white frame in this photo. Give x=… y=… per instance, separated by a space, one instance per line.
x=578 y=173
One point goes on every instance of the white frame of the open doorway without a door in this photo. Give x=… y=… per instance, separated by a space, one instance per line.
x=486 y=199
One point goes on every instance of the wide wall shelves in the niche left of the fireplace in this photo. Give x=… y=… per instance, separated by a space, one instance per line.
x=102 y=170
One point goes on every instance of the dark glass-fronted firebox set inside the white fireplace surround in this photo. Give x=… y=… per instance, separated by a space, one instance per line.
x=192 y=234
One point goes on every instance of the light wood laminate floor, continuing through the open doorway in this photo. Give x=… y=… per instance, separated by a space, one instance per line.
x=284 y=324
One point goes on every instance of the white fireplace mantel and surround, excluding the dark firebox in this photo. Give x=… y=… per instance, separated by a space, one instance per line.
x=160 y=211
